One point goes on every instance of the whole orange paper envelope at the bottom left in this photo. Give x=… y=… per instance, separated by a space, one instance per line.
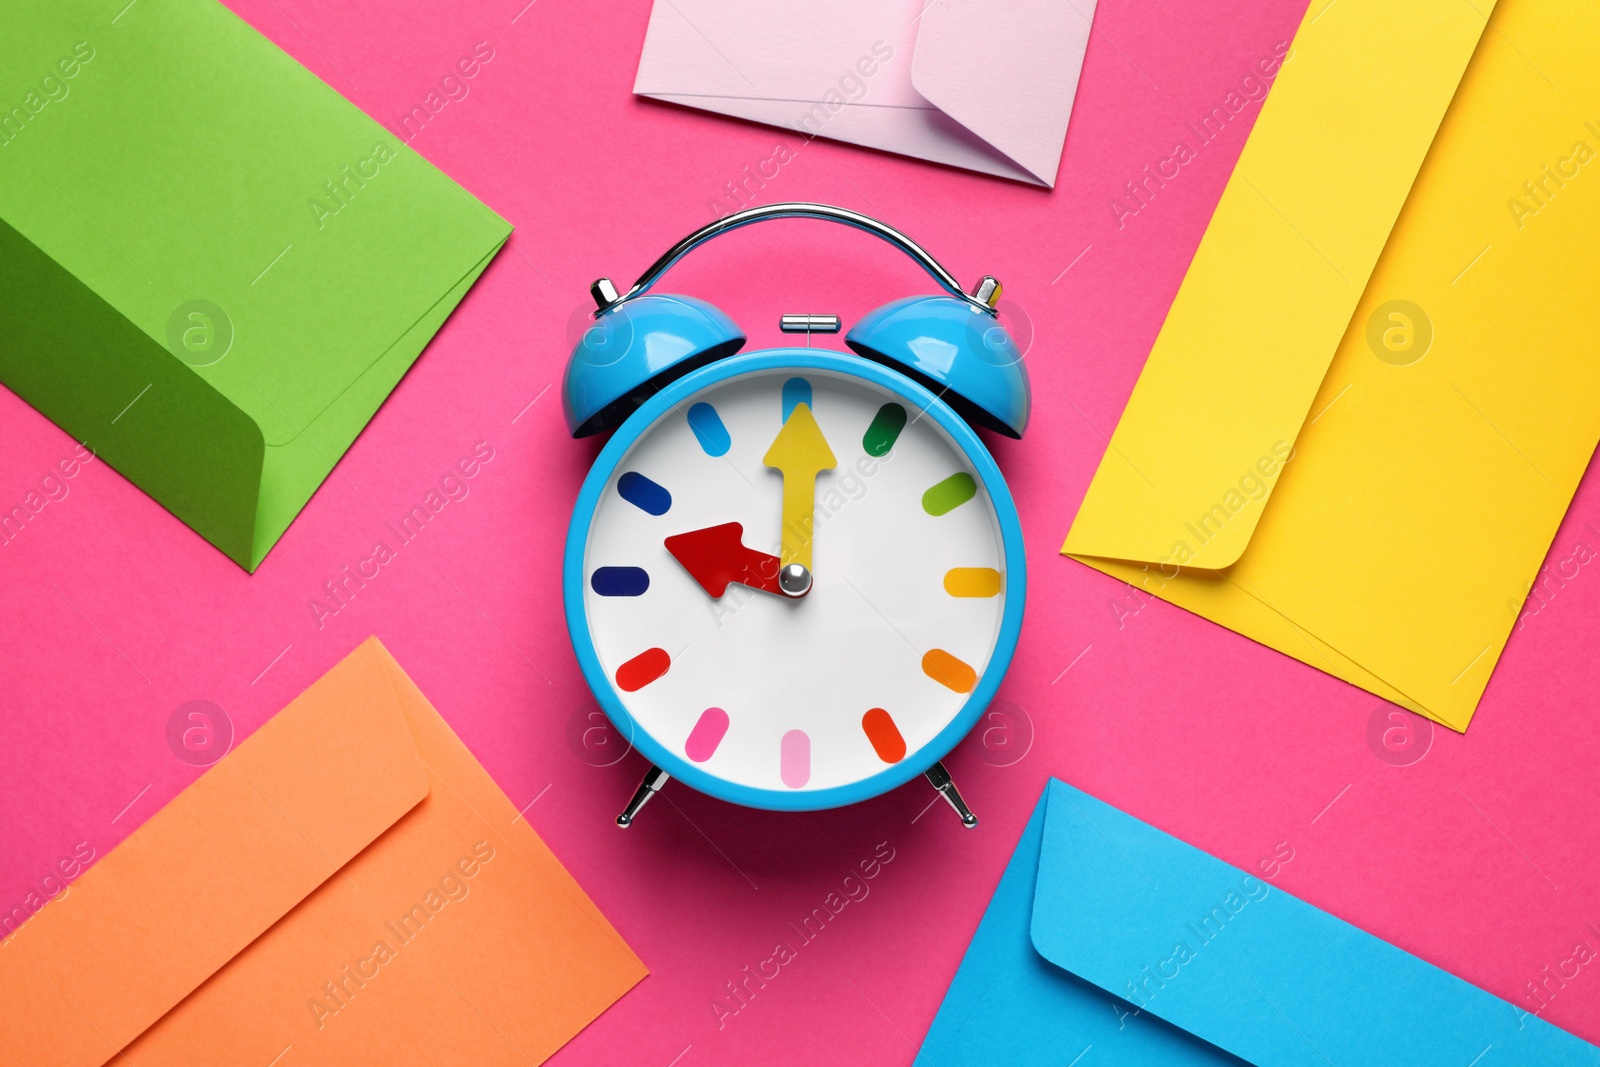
x=348 y=887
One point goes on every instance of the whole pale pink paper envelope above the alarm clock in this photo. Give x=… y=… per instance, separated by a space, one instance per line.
x=982 y=86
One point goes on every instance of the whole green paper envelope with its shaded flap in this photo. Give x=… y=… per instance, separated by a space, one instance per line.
x=214 y=268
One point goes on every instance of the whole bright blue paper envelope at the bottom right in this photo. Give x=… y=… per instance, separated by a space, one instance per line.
x=1111 y=943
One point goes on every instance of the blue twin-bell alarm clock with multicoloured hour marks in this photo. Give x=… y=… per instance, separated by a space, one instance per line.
x=794 y=578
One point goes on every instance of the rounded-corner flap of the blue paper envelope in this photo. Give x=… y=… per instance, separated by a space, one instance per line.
x=1247 y=967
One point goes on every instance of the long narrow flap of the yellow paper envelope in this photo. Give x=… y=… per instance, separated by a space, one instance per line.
x=1276 y=279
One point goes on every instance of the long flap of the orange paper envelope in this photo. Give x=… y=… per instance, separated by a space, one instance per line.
x=212 y=871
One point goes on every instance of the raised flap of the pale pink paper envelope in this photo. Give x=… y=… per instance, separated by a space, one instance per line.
x=1006 y=71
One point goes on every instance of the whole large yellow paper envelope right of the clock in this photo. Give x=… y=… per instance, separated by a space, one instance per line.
x=1375 y=394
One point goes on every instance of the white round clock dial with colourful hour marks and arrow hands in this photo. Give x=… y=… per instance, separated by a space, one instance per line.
x=794 y=693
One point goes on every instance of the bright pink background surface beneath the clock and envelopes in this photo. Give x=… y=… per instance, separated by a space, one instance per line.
x=1482 y=857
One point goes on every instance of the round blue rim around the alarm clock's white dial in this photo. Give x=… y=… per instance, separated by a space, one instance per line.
x=599 y=478
